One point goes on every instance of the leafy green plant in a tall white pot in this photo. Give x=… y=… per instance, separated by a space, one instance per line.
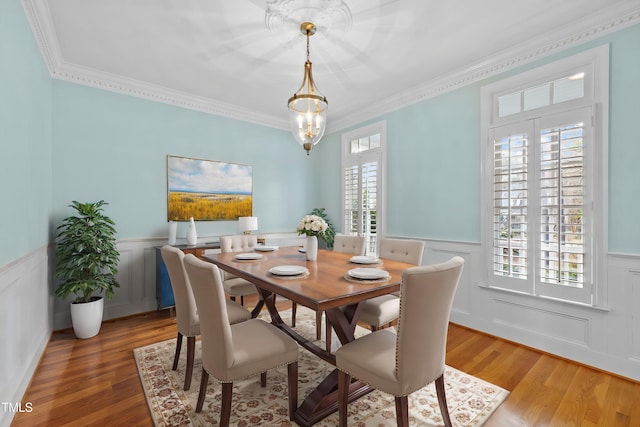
x=87 y=263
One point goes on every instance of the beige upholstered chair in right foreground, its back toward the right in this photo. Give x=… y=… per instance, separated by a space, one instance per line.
x=412 y=357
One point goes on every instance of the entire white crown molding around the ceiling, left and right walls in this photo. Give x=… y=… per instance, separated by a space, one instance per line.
x=614 y=19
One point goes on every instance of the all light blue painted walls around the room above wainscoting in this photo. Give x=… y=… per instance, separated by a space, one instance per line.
x=104 y=145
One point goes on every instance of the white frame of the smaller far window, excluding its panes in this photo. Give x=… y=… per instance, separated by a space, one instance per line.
x=352 y=159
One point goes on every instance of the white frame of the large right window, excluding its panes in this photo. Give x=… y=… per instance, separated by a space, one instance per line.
x=595 y=64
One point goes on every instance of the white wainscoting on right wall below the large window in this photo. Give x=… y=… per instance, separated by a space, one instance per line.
x=606 y=337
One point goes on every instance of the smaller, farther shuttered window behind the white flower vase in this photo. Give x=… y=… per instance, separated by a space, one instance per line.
x=362 y=165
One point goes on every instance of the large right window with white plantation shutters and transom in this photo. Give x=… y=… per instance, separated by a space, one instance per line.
x=546 y=161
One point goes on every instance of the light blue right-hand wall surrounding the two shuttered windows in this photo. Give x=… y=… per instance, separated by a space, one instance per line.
x=433 y=157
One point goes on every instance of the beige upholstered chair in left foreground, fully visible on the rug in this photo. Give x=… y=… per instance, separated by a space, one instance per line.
x=234 y=352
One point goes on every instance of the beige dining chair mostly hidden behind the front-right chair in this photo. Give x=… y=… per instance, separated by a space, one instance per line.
x=380 y=311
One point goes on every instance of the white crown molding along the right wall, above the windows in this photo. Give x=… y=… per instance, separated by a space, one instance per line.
x=581 y=32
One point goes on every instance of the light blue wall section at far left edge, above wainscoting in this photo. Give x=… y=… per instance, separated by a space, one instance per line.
x=25 y=137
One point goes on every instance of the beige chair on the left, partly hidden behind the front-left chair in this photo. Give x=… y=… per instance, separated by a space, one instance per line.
x=187 y=318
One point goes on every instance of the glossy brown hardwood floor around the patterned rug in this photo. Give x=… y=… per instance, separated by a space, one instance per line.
x=95 y=381
